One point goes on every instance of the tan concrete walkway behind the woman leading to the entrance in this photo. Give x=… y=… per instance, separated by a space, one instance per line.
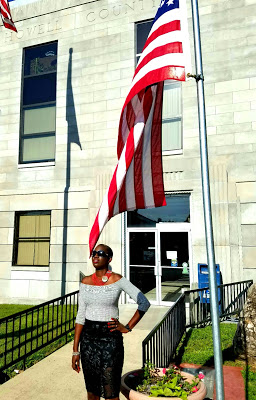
x=53 y=378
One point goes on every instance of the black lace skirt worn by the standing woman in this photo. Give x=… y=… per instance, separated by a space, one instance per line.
x=102 y=356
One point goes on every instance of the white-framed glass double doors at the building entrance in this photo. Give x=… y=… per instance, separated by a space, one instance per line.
x=159 y=260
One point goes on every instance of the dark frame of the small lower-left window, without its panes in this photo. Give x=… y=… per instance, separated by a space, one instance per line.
x=16 y=237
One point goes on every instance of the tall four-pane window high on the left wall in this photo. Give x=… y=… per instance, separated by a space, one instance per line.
x=38 y=108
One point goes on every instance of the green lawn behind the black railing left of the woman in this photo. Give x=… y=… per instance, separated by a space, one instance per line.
x=32 y=331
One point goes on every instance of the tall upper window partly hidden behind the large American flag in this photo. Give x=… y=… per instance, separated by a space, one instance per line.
x=172 y=101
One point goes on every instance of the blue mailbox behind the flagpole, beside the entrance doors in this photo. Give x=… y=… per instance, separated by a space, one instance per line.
x=203 y=281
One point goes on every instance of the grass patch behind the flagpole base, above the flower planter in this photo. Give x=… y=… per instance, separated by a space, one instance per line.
x=197 y=346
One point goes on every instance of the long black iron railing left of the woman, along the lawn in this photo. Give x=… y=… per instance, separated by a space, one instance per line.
x=26 y=332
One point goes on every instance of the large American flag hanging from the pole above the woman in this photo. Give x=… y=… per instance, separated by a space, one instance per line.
x=138 y=179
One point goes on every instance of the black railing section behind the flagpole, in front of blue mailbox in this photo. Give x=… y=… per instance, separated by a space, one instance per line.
x=231 y=299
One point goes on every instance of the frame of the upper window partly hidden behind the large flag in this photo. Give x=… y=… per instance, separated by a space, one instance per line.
x=168 y=82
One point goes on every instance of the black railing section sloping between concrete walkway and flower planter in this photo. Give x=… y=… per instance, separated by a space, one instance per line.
x=160 y=345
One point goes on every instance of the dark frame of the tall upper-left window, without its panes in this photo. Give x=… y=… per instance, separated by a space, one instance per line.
x=23 y=108
